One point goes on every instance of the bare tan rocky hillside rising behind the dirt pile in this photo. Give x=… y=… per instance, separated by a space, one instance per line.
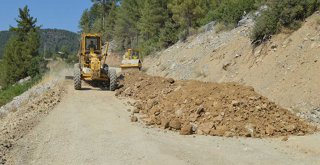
x=283 y=69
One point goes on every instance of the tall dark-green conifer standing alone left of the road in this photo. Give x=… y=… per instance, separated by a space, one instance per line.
x=21 y=57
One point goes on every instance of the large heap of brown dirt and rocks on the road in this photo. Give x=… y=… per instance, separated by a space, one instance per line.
x=208 y=108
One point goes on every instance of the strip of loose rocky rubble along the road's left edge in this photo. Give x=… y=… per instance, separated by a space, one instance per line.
x=24 y=112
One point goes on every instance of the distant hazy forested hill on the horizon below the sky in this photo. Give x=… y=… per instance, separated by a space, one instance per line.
x=52 y=40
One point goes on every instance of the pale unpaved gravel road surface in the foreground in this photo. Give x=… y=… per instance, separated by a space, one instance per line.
x=93 y=127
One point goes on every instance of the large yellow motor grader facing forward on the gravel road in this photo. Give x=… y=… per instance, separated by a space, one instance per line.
x=92 y=66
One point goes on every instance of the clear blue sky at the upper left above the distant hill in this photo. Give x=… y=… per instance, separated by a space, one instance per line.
x=60 y=14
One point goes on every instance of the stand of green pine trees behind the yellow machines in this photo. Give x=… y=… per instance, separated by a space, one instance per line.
x=156 y=24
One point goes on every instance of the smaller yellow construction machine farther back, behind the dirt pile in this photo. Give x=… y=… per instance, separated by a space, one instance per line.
x=131 y=60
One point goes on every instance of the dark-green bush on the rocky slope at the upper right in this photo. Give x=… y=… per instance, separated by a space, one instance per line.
x=285 y=13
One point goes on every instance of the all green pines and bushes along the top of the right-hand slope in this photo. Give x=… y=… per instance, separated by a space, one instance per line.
x=155 y=24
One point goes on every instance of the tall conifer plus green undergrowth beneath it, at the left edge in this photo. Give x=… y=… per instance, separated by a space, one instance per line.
x=21 y=57
